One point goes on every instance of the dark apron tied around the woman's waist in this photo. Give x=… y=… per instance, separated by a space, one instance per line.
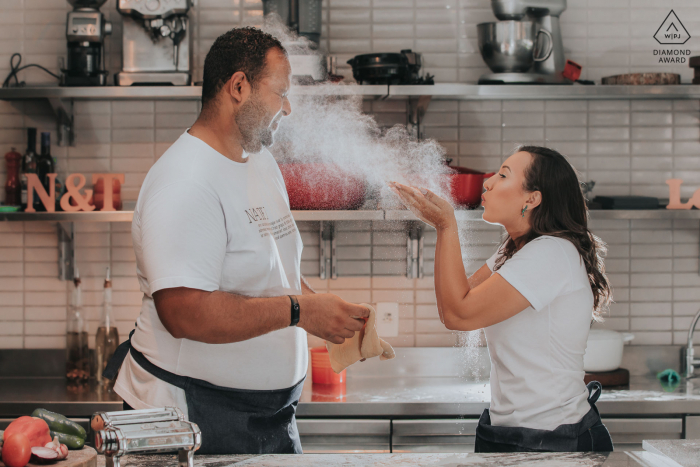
x=587 y=435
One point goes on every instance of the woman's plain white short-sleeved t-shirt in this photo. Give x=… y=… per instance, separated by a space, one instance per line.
x=537 y=355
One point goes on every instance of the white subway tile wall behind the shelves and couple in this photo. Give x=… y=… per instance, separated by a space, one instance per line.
x=627 y=147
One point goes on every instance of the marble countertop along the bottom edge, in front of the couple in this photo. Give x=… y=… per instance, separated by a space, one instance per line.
x=562 y=459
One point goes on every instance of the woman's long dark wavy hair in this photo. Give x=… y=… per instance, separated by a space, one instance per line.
x=562 y=213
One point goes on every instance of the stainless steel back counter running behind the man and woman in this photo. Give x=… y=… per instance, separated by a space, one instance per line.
x=362 y=396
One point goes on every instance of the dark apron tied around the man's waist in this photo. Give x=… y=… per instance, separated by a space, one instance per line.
x=233 y=421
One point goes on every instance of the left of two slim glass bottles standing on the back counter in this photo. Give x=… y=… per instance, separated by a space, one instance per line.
x=77 y=352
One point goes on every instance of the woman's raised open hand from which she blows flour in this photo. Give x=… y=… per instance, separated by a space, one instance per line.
x=426 y=205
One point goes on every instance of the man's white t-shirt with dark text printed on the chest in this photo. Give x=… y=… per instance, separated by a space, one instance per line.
x=206 y=222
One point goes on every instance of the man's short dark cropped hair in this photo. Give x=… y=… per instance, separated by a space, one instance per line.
x=240 y=49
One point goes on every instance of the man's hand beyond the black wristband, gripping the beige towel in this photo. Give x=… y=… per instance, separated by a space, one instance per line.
x=330 y=317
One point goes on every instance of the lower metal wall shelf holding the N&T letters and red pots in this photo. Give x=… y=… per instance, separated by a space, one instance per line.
x=367 y=215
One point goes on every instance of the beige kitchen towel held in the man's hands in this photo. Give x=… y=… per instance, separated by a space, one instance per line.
x=366 y=343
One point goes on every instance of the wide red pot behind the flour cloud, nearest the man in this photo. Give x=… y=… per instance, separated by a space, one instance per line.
x=322 y=187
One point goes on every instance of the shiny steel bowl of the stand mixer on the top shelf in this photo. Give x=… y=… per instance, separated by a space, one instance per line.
x=507 y=46
